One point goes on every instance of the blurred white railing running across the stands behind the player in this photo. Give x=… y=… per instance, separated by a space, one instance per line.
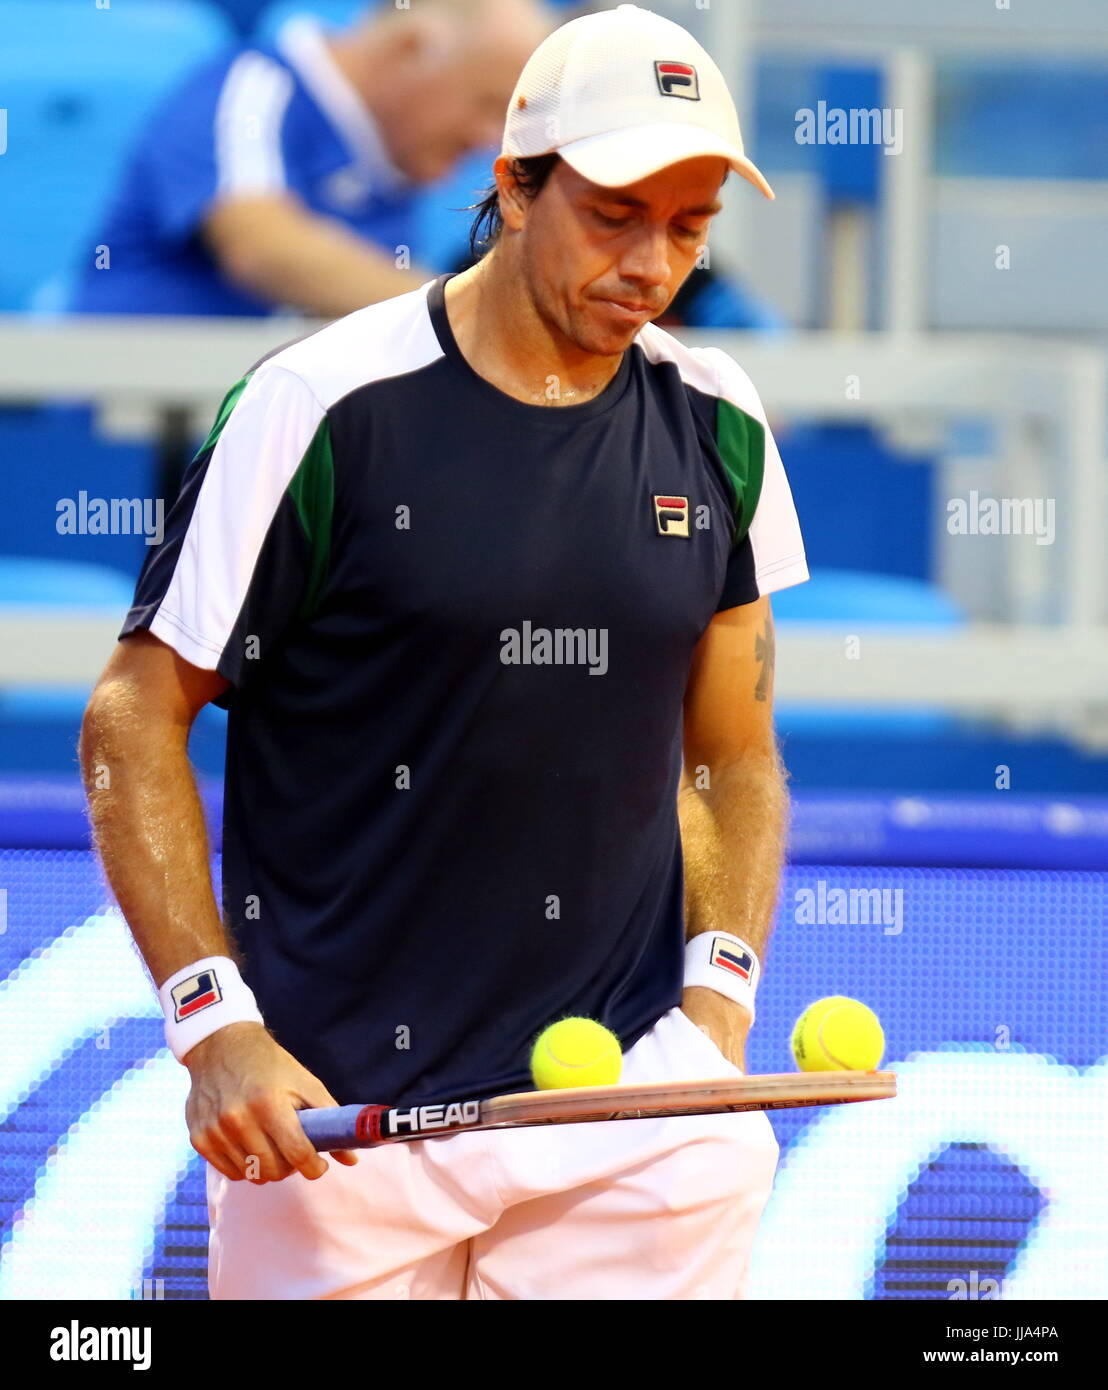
x=1046 y=667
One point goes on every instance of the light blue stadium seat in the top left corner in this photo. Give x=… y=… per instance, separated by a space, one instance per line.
x=77 y=83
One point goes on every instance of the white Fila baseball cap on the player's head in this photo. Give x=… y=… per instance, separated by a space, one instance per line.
x=621 y=95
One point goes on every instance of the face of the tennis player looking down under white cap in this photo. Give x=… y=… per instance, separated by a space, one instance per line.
x=604 y=262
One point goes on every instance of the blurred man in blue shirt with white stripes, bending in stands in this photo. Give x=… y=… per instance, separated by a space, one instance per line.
x=286 y=177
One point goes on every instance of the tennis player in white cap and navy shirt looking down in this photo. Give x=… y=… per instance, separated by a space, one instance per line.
x=482 y=575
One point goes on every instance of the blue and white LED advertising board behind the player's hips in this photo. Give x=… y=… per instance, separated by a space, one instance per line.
x=984 y=1179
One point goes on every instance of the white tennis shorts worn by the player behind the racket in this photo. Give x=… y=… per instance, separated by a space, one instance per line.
x=657 y=1210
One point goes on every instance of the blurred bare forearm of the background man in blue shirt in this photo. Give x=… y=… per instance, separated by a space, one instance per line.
x=280 y=251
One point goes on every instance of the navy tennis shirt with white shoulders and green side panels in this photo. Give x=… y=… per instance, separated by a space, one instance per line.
x=458 y=632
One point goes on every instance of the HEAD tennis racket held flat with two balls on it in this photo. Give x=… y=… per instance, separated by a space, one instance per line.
x=366 y=1127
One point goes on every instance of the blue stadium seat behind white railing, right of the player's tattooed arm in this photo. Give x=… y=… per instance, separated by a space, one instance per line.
x=852 y=600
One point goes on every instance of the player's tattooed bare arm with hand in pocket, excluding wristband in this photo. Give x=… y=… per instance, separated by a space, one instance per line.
x=733 y=803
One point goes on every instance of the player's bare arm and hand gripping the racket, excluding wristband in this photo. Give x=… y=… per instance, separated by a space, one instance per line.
x=149 y=828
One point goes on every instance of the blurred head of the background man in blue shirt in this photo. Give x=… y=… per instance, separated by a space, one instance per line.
x=439 y=74
